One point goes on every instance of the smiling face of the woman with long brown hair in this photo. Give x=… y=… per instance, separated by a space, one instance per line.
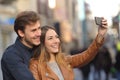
x=52 y=41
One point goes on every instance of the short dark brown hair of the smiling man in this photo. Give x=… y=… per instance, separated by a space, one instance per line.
x=25 y=18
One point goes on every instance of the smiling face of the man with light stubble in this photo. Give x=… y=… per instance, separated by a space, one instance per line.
x=31 y=35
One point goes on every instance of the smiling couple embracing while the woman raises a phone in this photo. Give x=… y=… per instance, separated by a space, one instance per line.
x=36 y=53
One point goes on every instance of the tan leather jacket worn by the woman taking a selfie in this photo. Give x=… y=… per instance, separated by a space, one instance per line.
x=43 y=72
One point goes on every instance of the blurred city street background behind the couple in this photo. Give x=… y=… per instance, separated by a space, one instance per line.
x=74 y=21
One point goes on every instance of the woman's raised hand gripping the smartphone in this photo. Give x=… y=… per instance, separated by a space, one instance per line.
x=102 y=30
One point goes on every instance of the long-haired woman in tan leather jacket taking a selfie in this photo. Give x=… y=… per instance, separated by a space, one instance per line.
x=49 y=63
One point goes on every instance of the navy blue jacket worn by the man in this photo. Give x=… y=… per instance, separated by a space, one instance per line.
x=15 y=62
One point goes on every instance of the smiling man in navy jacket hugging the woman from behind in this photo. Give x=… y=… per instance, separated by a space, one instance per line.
x=15 y=60
